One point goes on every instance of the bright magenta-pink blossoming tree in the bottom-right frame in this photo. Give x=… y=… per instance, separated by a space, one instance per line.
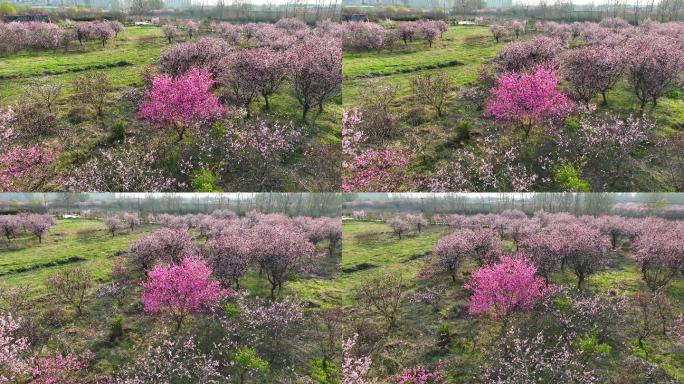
x=504 y=288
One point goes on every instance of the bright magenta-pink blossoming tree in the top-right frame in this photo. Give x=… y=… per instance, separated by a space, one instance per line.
x=529 y=99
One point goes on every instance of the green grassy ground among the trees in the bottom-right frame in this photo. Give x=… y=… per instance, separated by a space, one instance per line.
x=412 y=342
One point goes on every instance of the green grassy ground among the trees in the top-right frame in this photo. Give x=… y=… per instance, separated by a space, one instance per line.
x=460 y=52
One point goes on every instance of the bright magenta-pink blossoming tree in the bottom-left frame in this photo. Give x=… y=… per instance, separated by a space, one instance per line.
x=177 y=291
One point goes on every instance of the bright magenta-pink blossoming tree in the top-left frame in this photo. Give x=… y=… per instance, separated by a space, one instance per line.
x=181 y=104
